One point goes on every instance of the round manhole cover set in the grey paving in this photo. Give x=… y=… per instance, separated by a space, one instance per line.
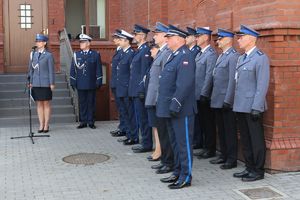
x=86 y=158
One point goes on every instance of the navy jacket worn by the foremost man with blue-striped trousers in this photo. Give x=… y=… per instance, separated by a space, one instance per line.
x=177 y=85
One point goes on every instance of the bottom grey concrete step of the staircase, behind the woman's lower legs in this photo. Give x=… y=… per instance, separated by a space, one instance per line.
x=24 y=120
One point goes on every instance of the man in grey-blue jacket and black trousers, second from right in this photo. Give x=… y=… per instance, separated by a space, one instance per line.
x=222 y=100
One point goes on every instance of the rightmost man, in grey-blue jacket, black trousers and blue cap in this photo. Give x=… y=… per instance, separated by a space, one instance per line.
x=252 y=81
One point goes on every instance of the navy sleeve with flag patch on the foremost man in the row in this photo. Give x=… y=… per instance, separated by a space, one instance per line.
x=184 y=83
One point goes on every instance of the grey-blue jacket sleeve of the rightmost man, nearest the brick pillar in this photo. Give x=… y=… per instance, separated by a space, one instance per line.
x=262 y=78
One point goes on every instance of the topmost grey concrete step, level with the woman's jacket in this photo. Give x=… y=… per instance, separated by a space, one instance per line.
x=22 y=78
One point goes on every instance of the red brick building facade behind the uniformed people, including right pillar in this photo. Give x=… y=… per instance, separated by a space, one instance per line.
x=276 y=20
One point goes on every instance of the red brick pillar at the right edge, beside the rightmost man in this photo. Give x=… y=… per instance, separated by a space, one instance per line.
x=283 y=117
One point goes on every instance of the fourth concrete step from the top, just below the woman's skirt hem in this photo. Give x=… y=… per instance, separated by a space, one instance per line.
x=19 y=102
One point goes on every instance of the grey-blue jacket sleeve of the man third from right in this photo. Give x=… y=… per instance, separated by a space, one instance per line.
x=210 y=64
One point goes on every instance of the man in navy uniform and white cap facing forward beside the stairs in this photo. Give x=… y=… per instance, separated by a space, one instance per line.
x=86 y=76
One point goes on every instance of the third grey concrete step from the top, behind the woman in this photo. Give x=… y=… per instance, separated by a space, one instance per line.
x=20 y=94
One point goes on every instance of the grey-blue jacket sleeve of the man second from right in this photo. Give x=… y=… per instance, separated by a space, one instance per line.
x=231 y=82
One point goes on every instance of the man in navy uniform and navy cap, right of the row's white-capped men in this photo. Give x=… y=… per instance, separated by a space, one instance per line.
x=140 y=65
